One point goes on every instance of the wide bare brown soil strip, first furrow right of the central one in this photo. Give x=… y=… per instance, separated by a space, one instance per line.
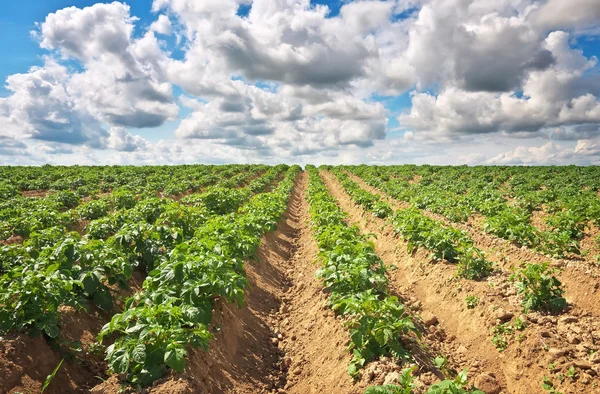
x=521 y=367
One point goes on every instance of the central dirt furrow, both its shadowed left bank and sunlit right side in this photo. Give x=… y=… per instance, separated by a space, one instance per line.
x=285 y=339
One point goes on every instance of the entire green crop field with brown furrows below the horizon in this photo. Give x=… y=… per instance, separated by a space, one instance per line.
x=273 y=279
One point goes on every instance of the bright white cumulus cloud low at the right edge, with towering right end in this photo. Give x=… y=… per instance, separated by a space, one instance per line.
x=562 y=95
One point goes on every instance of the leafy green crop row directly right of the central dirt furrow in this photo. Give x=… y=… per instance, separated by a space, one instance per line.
x=355 y=277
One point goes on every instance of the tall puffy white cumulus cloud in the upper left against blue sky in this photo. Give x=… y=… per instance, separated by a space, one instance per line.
x=123 y=82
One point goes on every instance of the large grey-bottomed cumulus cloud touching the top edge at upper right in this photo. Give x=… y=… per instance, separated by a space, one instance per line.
x=480 y=46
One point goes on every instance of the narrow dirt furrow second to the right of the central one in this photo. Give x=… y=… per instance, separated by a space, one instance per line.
x=581 y=280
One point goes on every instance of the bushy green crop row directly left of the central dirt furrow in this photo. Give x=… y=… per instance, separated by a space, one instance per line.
x=174 y=309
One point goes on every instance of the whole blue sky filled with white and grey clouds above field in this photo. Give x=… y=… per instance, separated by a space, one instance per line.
x=480 y=82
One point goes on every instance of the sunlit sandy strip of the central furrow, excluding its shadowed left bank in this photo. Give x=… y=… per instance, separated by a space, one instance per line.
x=314 y=340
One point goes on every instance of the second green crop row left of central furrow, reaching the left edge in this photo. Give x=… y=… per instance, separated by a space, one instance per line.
x=55 y=268
